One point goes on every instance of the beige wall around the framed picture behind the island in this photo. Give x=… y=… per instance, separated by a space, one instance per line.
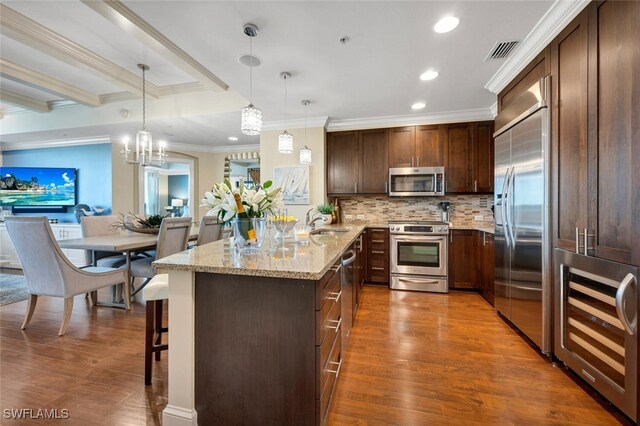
x=270 y=158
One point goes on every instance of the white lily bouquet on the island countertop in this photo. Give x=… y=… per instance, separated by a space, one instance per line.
x=257 y=203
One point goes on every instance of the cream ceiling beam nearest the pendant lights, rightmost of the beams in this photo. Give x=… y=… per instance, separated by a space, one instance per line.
x=127 y=21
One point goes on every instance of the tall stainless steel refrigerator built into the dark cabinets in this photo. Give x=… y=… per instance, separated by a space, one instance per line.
x=521 y=200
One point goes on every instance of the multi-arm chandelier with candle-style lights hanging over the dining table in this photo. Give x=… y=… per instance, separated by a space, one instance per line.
x=144 y=154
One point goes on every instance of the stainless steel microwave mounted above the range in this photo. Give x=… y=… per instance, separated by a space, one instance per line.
x=416 y=181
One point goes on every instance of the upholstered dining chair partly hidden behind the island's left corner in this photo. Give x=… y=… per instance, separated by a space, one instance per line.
x=172 y=238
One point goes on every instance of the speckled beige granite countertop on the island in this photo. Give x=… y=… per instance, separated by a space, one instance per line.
x=306 y=262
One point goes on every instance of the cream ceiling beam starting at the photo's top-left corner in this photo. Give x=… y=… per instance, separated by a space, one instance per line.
x=26 y=31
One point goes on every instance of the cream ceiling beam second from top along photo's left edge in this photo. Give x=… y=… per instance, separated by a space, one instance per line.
x=37 y=80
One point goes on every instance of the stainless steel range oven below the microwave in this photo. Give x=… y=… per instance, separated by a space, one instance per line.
x=418 y=256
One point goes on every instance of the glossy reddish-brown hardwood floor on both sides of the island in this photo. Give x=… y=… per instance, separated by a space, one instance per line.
x=414 y=359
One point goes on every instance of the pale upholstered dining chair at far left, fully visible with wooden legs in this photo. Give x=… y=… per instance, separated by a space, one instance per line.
x=47 y=270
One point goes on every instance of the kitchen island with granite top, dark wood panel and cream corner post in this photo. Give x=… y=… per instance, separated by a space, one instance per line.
x=255 y=338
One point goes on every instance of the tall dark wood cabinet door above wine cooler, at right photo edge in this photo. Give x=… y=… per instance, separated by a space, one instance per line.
x=614 y=130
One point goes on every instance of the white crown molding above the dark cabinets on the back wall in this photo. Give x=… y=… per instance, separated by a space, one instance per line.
x=410 y=120
